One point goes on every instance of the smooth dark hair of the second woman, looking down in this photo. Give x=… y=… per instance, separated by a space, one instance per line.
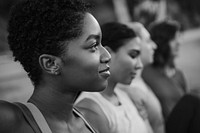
x=115 y=34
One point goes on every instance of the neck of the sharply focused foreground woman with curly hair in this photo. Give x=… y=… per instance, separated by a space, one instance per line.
x=53 y=104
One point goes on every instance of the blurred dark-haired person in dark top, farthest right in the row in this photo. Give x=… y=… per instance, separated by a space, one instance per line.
x=164 y=78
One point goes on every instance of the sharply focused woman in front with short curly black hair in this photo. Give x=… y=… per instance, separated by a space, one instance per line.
x=58 y=42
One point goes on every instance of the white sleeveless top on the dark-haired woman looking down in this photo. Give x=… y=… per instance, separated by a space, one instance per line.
x=123 y=118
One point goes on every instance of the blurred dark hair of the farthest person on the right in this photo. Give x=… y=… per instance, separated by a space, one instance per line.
x=162 y=33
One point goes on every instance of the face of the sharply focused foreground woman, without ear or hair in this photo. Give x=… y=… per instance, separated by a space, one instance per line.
x=85 y=65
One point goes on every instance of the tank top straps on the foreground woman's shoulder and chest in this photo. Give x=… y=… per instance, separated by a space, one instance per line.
x=37 y=120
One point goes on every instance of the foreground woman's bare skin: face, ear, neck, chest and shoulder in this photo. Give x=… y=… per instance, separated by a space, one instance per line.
x=62 y=80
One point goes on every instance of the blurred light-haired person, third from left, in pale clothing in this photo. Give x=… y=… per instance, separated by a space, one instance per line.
x=140 y=93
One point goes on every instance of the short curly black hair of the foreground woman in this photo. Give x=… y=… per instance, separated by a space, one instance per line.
x=39 y=27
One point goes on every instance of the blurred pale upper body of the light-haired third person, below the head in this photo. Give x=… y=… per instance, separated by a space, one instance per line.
x=146 y=102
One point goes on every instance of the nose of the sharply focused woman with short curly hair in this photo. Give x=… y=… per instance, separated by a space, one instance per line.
x=105 y=55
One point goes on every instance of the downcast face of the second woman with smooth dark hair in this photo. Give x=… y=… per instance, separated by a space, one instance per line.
x=126 y=61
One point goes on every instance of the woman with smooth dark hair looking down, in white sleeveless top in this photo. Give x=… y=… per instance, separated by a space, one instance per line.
x=112 y=111
